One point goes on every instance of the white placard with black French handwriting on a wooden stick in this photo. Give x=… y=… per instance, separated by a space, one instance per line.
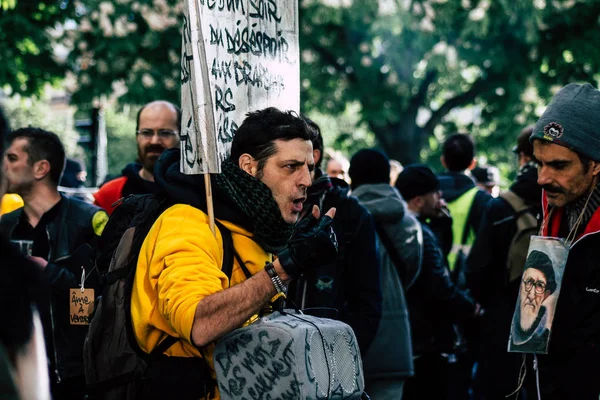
x=237 y=56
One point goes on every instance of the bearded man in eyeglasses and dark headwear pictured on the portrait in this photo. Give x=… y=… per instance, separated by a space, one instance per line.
x=530 y=325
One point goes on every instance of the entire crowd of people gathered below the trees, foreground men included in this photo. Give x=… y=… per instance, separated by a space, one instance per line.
x=429 y=268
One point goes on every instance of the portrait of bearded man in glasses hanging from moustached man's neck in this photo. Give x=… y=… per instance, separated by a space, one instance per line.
x=539 y=291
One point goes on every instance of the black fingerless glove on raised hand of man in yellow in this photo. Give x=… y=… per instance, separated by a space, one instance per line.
x=313 y=243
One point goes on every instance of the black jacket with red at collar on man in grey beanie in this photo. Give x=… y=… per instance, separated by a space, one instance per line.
x=572 y=366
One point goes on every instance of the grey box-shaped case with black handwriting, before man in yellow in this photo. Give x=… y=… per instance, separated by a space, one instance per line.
x=288 y=355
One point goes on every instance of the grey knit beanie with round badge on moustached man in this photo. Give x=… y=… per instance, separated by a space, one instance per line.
x=572 y=119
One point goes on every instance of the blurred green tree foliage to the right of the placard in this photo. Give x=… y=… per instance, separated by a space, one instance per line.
x=411 y=64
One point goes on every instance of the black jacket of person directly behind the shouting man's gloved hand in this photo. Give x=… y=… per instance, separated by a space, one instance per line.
x=351 y=285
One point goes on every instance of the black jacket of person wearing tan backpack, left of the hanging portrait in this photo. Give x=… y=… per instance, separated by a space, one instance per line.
x=487 y=280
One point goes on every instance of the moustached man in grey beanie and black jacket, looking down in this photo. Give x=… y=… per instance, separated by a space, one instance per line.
x=566 y=143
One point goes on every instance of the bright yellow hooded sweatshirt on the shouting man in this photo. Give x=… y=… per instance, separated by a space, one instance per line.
x=180 y=264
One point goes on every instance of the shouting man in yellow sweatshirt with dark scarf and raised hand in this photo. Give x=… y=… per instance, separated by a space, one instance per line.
x=179 y=289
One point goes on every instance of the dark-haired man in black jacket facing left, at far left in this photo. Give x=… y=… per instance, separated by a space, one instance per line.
x=58 y=228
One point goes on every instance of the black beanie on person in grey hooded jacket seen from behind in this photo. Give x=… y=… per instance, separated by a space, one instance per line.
x=369 y=166
